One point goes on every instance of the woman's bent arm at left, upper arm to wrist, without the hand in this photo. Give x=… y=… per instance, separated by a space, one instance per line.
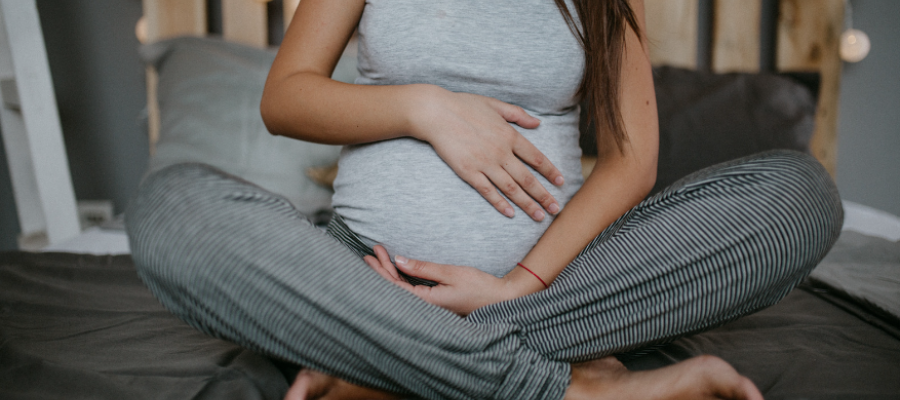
x=300 y=100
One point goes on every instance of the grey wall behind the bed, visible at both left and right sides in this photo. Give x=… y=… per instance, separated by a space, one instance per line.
x=99 y=84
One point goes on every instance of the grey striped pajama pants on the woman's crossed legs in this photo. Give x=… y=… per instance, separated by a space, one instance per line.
x=240 y=263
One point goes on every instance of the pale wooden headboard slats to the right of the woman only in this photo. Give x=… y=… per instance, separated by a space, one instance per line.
x=806 y=40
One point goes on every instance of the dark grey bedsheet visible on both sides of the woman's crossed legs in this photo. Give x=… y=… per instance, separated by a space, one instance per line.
x=77 y=327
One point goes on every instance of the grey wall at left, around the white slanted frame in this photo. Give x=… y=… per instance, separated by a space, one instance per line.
x=99 y=85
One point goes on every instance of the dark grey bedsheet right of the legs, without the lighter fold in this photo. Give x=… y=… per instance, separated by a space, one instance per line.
x=806 y=347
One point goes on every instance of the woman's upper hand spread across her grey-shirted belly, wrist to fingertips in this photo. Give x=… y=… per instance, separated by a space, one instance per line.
x=472 y=134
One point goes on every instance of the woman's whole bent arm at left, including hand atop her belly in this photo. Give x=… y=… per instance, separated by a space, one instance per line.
x=470 y=133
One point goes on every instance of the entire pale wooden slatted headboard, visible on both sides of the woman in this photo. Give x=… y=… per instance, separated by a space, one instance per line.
x=807 y=37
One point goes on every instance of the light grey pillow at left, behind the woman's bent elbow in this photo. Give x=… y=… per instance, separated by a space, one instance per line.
x=209 y=93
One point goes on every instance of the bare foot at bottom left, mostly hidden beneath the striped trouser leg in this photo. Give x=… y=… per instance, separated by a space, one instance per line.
x=312 y=385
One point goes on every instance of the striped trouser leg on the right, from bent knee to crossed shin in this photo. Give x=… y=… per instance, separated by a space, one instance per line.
x=721 y=243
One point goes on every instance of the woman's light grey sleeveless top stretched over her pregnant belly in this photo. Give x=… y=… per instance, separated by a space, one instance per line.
x=399 y=193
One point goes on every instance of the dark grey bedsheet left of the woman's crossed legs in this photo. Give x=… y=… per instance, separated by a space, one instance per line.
x=85 y=327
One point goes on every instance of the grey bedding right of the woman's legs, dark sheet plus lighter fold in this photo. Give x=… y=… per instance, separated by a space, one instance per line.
x=822 y=341
